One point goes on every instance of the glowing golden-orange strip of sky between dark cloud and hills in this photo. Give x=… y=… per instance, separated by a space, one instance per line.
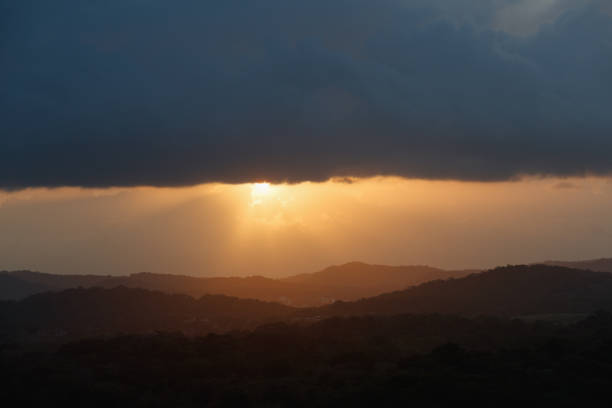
x=281 y=230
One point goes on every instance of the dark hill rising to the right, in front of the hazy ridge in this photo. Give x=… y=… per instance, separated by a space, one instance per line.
x=510 y=291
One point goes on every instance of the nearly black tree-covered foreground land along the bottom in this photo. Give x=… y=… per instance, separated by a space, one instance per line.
x=410 y=360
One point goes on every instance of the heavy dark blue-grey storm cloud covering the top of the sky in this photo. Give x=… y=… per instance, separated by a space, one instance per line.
x=131 y=92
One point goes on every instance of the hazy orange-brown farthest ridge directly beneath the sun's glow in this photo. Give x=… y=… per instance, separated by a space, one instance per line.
x=351 y=281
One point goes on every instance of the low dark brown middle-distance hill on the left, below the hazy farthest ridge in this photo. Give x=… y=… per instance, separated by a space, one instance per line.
x=97 y=311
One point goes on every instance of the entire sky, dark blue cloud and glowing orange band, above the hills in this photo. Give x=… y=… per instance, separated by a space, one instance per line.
x=463 y=133
